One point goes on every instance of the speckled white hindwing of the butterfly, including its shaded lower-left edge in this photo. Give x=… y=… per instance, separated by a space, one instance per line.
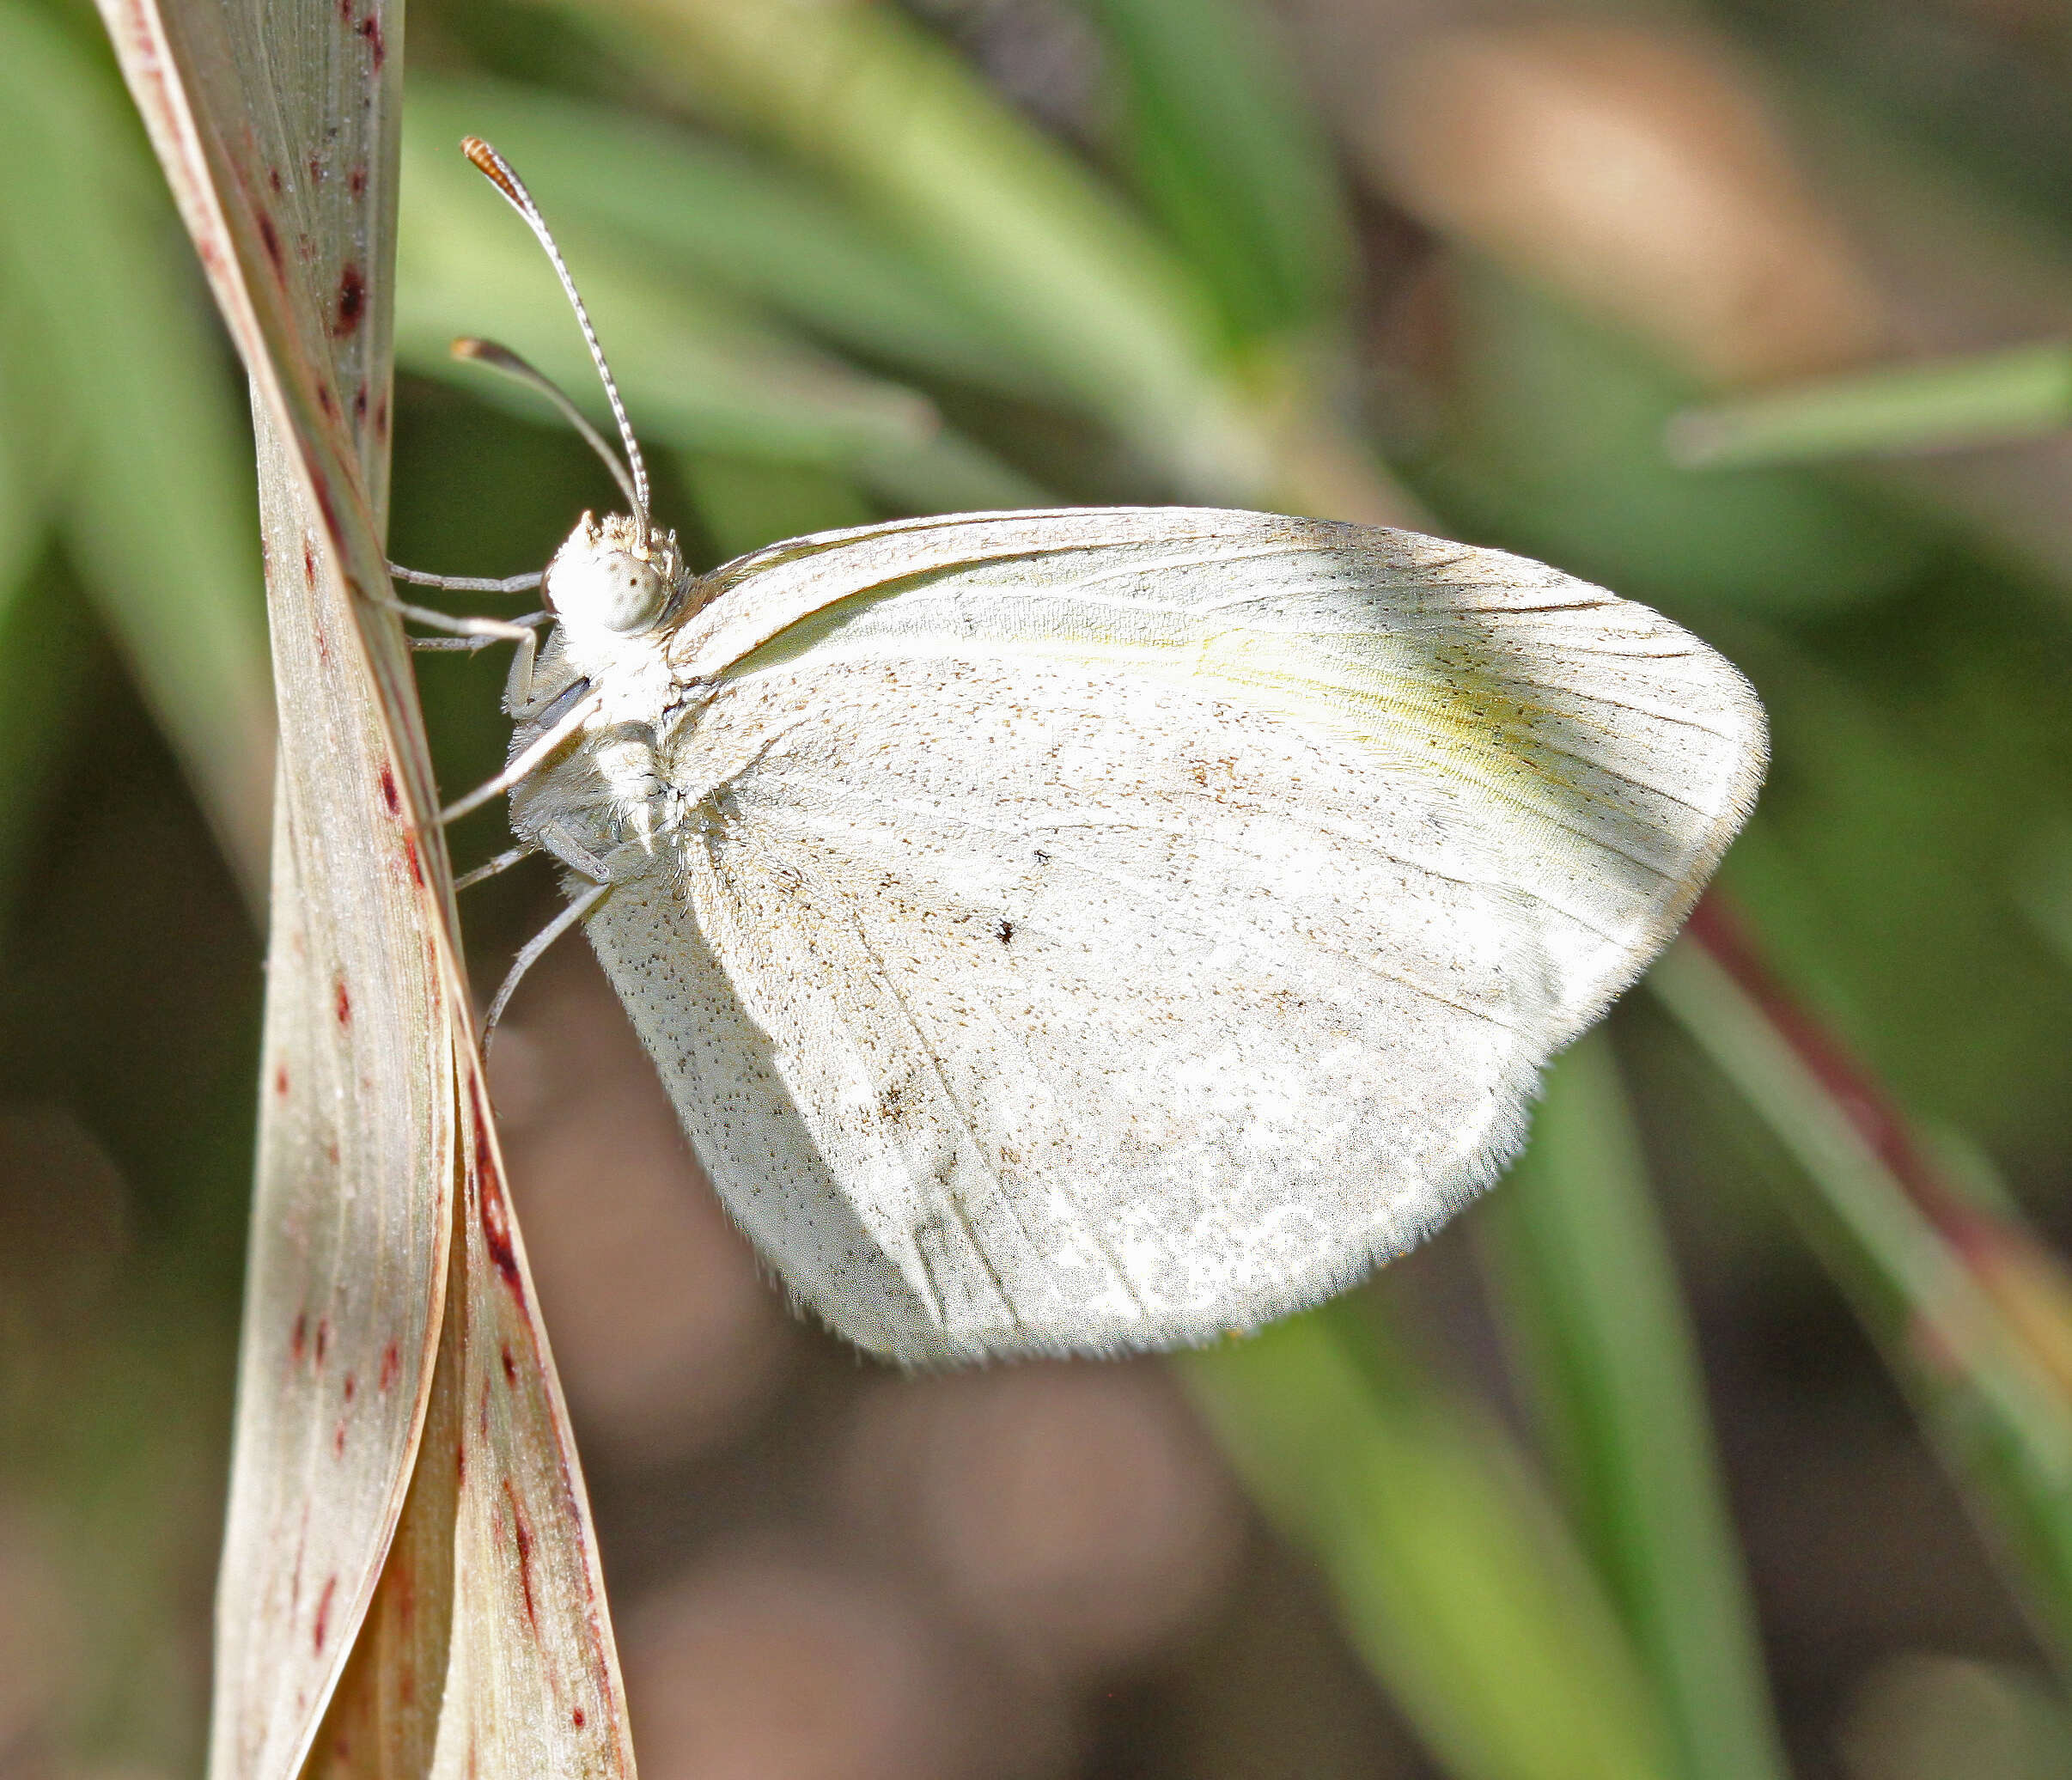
x=1118 y=1025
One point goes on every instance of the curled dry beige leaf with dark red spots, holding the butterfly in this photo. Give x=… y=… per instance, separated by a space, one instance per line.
x=449 y=1619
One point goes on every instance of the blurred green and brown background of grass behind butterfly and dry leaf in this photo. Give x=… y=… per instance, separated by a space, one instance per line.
x=1731 y=1437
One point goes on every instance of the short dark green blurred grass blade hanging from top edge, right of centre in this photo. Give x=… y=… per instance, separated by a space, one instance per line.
x=1228 y=154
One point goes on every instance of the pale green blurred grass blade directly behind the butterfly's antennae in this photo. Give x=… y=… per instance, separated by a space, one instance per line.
x=699 y=370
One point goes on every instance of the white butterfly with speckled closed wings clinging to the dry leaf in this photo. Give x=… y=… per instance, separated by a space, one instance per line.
x=1097 y=929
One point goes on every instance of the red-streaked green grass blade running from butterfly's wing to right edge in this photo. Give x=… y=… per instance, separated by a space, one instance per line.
x=1969 y=1309
